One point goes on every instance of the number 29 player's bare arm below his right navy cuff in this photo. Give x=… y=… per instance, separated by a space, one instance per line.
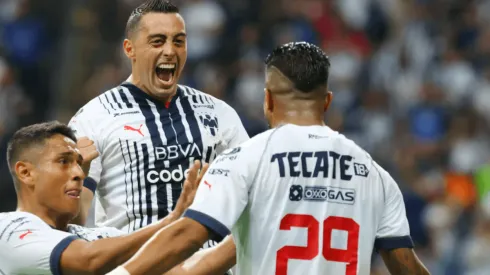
x=403 y=261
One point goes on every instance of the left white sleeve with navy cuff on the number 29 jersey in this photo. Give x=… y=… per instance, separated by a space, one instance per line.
x=223 y=192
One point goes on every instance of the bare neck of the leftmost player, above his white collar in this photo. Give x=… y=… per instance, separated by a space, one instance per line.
x=50 y=217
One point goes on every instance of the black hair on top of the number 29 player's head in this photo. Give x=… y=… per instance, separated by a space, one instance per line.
x=305 y=64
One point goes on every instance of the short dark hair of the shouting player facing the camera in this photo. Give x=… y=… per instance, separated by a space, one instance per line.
x=162 y=6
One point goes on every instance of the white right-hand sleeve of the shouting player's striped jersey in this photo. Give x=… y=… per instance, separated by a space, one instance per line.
x=234 y=133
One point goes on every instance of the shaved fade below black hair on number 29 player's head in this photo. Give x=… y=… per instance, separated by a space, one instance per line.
x=281 y=86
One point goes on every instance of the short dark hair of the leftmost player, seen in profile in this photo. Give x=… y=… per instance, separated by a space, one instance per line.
x=33 y=135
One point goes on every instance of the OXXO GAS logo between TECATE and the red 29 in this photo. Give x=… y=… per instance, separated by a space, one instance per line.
x=321 y=193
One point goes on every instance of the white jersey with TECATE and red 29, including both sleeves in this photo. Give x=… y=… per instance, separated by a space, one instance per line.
x=302 y=200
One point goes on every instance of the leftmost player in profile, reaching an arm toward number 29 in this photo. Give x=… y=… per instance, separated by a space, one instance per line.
x=45 y=163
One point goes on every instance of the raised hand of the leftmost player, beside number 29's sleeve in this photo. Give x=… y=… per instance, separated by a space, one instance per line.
x=190 y=187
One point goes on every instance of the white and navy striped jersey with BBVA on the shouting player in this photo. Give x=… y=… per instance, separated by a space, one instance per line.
x=146 y=148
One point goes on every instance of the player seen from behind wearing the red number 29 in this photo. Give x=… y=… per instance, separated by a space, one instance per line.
x=299 y=198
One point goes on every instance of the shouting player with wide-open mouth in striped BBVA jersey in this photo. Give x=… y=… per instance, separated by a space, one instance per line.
x=149 y=130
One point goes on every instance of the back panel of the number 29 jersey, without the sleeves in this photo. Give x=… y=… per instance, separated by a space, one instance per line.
x=315 y=193
